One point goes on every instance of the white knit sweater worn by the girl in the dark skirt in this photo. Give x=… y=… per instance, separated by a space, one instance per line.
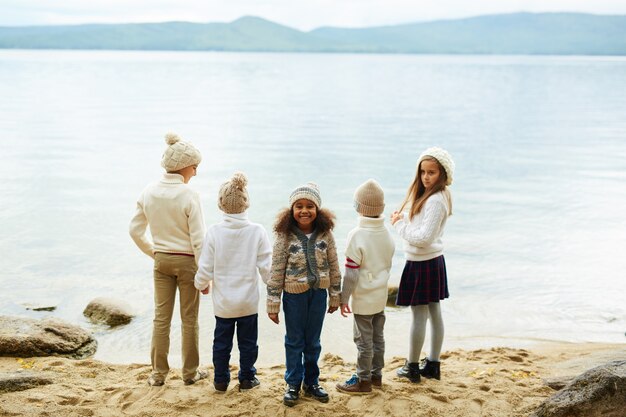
x=422 y=234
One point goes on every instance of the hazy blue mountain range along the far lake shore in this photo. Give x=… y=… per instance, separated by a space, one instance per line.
x=517 y=33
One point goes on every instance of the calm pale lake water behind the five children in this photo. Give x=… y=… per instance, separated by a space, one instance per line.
x=535 y=248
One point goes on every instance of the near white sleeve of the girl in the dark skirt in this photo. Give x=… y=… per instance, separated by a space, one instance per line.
x=425 y=232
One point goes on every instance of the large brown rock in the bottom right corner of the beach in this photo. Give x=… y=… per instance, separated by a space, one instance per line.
x=598 y=392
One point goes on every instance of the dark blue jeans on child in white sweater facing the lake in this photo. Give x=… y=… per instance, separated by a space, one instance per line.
x=247 y=334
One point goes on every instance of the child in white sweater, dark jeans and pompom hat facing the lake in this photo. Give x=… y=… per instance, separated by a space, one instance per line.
x=234 y=254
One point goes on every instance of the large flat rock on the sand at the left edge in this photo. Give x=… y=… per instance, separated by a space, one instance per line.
x=24 y=337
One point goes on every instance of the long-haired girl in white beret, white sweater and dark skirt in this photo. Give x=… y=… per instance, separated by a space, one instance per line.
x=424 y=280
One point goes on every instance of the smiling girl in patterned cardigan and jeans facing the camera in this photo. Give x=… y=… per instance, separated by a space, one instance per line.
x=305 y=270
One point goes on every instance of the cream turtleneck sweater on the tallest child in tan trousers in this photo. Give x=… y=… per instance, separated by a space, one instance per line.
x=174 y=214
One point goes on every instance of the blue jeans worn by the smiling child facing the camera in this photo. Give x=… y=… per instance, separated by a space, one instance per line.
x=304 y=316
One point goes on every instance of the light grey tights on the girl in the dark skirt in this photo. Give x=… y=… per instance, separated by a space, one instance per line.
x=421 y=314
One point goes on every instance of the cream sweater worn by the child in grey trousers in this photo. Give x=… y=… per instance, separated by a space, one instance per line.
x=370 y=246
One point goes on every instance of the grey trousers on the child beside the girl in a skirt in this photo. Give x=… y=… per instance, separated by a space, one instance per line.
x=370 y=342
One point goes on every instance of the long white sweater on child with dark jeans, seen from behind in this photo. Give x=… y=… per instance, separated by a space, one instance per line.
x=234 y=254
